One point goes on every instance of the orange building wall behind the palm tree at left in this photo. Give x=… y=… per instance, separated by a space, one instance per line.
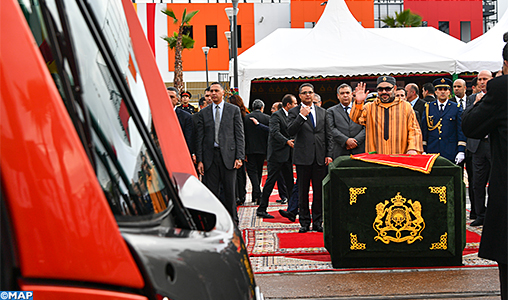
x=211 y=14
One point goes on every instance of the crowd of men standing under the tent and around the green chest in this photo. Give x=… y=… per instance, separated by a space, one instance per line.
x=309 y=137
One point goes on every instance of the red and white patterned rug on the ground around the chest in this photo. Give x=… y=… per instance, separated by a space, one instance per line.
x=274 y=245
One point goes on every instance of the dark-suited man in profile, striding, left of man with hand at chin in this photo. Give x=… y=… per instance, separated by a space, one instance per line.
x=279 y=158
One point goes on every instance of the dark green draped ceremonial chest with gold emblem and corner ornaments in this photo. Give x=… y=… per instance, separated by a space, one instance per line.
x=381 y=216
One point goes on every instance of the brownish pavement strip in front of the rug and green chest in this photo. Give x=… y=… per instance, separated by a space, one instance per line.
x=480 y=283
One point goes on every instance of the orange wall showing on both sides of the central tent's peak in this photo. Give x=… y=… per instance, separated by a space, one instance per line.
x=310 y=11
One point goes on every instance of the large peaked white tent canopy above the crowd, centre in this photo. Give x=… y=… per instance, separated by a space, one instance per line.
x=337 y=46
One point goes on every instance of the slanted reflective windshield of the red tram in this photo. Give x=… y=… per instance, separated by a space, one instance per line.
x=123 y=156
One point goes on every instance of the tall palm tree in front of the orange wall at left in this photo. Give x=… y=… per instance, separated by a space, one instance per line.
x=179 y=41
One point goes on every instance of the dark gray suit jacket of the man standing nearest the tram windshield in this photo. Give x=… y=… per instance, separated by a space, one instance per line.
x=231 y=136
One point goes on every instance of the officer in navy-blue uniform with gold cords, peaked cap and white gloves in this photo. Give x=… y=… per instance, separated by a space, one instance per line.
x=441 y=124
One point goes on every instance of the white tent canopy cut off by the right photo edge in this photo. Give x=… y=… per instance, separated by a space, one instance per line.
x=484 y=52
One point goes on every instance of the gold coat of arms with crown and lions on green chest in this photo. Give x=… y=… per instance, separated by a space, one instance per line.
x=399 y=222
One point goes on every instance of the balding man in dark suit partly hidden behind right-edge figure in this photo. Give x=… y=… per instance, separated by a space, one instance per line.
x=481 y=157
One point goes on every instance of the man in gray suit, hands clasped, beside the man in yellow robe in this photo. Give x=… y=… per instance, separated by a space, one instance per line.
x=347 y=137
